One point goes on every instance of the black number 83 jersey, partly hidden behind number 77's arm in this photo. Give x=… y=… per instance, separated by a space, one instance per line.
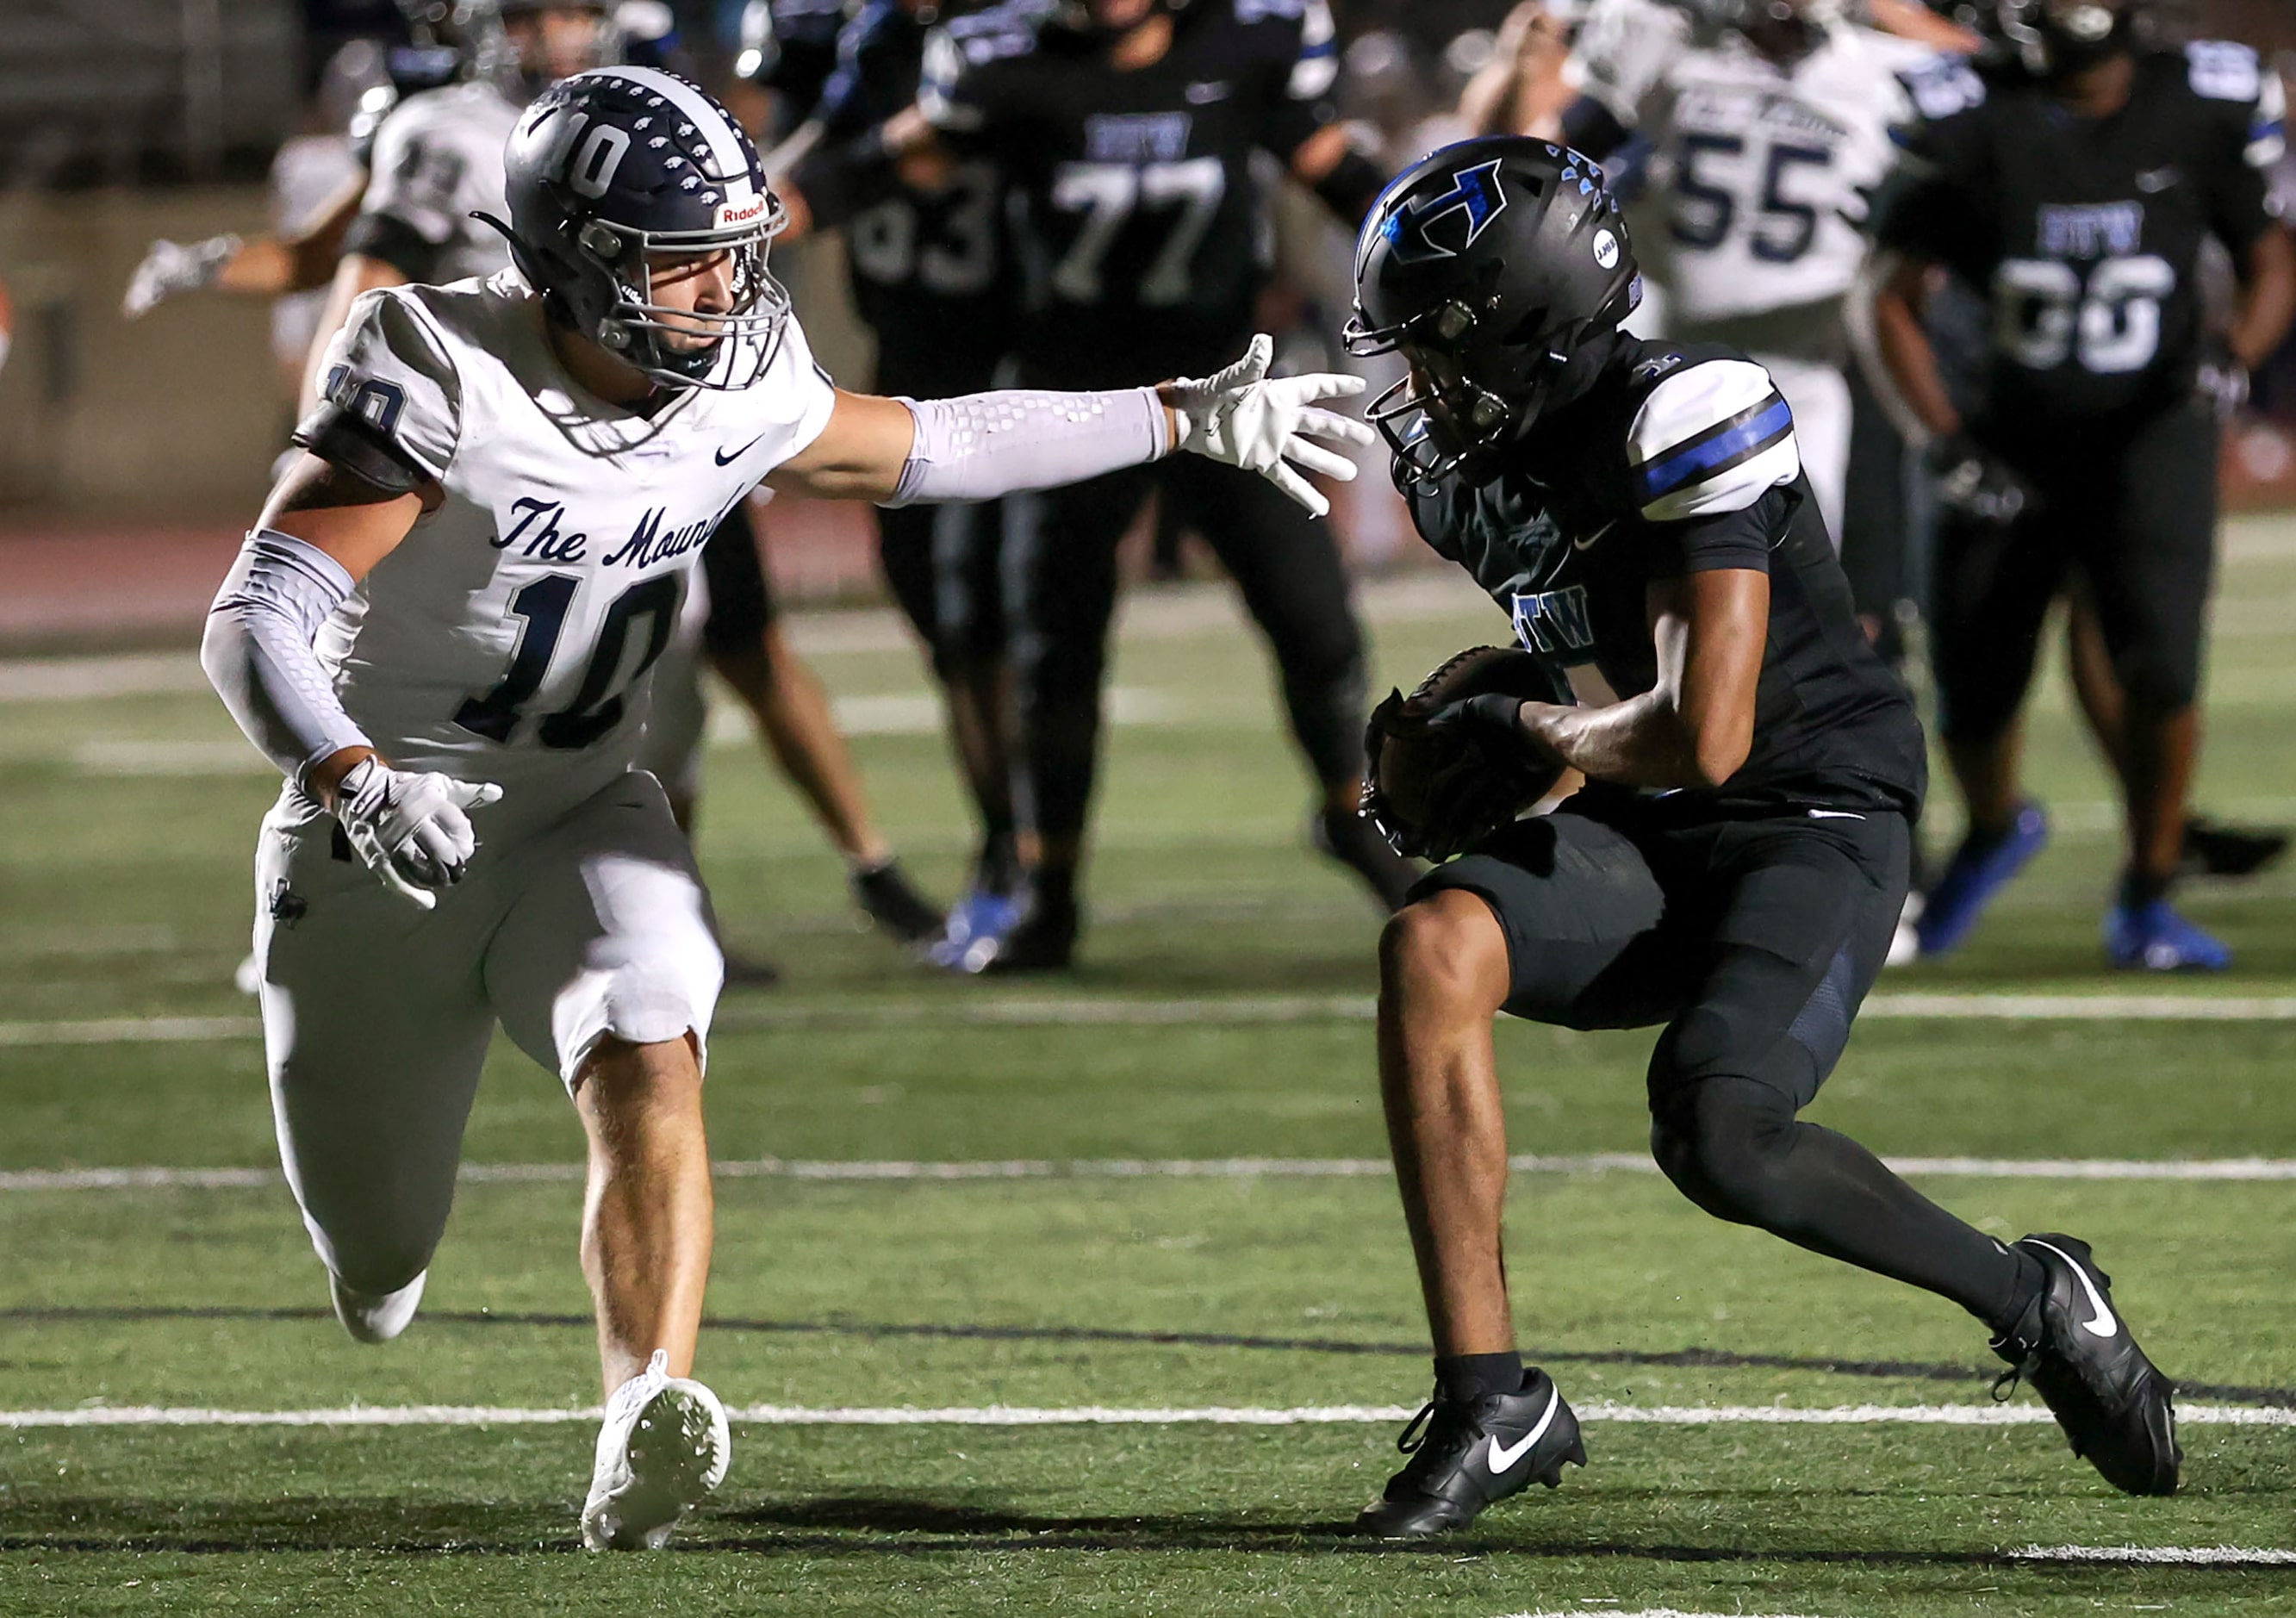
x=926 y=265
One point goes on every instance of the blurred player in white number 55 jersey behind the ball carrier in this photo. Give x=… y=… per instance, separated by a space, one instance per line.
x=1769 y=132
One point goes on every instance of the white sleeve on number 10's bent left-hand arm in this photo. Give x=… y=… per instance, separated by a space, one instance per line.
x=258 y=651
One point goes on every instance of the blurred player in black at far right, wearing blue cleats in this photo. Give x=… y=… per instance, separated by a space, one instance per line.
x=2074 y=185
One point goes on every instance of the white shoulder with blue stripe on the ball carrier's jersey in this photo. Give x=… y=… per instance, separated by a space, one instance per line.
x=1707 y=439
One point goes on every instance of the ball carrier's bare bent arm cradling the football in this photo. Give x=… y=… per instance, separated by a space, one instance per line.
x=1696 y=726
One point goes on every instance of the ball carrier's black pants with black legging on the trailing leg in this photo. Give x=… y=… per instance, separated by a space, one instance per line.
x=1753 y=942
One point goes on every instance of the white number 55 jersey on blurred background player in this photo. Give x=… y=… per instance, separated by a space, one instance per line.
x=1760 y=171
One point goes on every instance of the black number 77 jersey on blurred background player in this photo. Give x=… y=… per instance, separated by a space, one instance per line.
x=1135 y=196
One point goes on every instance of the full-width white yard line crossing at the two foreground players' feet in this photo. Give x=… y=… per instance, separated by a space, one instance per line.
x=1094 y=1417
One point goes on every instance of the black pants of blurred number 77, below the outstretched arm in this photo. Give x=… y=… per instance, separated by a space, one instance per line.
x=1062 y=591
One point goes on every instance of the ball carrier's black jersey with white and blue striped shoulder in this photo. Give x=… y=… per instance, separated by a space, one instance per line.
x=1682 y=460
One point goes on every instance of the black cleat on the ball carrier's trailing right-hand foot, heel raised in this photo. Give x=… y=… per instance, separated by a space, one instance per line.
x=2077 y=1353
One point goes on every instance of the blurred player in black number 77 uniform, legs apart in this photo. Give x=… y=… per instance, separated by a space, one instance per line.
x=1126 y=130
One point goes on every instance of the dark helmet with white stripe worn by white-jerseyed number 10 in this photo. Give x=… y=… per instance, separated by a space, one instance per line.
x=621 y=169
